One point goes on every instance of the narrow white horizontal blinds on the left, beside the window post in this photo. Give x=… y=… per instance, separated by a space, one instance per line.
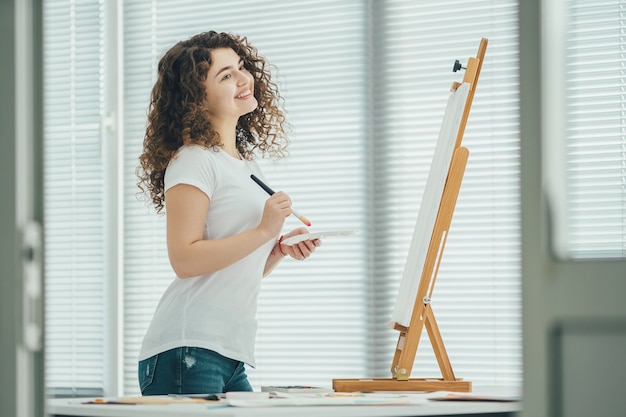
x=73 y=186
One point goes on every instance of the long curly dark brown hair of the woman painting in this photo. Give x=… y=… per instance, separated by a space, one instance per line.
x=177 y=117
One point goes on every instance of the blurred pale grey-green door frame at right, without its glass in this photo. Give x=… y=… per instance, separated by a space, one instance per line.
x=574 y=311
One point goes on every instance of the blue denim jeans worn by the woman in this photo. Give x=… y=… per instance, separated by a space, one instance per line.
x=191 y=370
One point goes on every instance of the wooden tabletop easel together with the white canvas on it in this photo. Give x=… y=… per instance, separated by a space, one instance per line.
x=413 y=311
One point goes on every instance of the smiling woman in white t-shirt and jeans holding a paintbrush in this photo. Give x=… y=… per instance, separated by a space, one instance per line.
x=212 y=108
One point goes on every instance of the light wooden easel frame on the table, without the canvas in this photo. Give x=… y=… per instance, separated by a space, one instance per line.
x=422 y=314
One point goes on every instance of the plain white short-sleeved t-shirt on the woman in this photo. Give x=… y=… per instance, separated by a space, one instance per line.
x=215 y=311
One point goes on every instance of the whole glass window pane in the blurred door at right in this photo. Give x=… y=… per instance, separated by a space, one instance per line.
x=586 y=154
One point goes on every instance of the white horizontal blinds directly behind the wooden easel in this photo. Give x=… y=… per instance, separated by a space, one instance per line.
x=477 y=295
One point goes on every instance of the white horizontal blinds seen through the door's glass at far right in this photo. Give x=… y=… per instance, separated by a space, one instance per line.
x=595 y=120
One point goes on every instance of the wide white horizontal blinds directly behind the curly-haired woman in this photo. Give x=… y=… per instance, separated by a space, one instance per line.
x=313 y=315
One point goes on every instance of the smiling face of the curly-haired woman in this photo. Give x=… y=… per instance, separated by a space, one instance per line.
x=229 y=87
